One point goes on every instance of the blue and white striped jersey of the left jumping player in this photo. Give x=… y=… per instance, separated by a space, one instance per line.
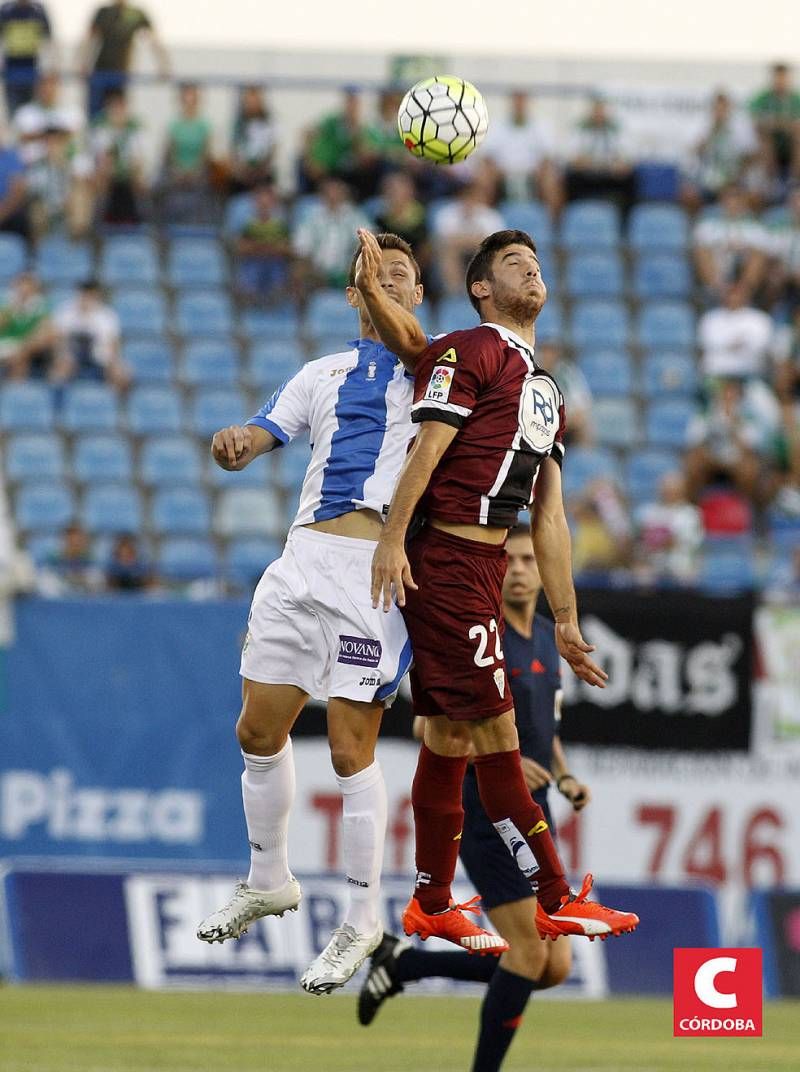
x=357 y=408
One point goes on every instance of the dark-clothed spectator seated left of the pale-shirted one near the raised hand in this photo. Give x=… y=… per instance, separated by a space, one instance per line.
x=263 y=248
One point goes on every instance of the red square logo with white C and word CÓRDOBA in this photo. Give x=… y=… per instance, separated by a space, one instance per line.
x=718 y=992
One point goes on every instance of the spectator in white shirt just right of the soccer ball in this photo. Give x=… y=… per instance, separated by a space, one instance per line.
x=524 y=150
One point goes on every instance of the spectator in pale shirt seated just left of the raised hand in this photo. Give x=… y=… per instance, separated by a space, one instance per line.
x=323 y=241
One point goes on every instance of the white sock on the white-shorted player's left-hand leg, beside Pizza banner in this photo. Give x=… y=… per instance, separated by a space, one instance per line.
x=269 y=793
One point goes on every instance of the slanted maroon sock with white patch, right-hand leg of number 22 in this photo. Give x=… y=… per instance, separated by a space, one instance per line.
x=516 y=816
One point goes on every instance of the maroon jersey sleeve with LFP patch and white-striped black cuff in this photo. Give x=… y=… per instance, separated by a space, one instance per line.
x=449 y=379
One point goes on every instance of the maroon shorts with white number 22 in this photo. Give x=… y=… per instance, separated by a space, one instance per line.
x=455 y=621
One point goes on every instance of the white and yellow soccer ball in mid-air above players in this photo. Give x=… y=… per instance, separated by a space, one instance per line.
x=443 y=120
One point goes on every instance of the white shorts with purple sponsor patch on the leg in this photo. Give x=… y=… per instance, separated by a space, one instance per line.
x=313 y=623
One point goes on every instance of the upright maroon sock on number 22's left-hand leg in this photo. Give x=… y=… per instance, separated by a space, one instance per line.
x=439 y=818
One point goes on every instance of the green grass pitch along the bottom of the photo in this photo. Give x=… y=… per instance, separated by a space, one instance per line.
x=116 y=1030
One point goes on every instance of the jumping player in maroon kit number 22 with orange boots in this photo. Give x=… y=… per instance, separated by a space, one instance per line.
x=492 y=426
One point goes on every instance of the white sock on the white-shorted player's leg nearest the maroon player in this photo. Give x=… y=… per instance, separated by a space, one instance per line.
x=364 y=823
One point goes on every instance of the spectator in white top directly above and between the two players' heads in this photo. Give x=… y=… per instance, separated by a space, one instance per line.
x=458 y=229
